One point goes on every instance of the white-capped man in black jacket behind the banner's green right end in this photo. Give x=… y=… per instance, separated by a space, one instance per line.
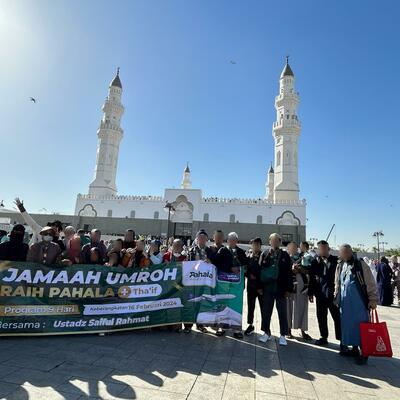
x=230 y=259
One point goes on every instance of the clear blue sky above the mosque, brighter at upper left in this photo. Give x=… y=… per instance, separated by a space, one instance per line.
x=185 y=101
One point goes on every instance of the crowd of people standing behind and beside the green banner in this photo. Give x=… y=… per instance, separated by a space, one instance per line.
x=289 y=279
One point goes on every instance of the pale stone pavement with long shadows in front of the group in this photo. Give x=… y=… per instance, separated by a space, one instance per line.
x=165 y=365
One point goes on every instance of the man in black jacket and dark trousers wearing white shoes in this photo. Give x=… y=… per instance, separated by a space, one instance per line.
x=276 y=283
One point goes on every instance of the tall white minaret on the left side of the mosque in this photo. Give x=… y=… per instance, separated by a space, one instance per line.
x=110 y=134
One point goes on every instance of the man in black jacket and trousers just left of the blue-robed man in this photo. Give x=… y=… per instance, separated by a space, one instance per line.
x=322 y=285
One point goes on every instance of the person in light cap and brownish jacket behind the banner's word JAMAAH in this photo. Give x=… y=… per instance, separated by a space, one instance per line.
x=45 y=251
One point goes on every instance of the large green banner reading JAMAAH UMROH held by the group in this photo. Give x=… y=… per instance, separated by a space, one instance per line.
x=45 y=300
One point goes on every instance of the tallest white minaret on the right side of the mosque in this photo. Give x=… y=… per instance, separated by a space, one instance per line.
x=286 y=131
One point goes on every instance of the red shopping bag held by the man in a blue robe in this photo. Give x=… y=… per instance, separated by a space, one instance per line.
x=375 y=340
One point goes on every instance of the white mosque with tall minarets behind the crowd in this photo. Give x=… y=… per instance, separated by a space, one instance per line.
x=280 y=209
